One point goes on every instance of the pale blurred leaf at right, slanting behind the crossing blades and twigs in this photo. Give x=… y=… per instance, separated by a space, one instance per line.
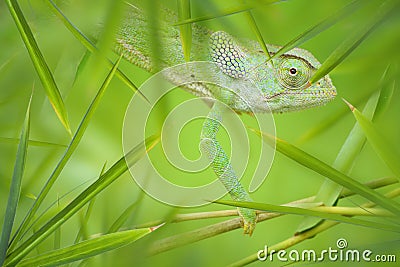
x=329 y=191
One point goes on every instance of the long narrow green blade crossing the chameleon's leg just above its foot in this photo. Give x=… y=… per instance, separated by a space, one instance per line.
x=310 y=212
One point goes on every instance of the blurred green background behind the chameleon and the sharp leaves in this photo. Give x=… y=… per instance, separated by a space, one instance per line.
x=354 y=79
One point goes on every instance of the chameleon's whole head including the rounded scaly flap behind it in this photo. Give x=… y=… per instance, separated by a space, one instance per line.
x=281 y=84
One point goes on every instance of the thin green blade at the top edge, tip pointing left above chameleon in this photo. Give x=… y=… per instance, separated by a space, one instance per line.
x=228 y=11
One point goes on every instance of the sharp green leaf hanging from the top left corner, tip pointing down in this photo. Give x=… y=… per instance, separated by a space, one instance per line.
x=39 y=62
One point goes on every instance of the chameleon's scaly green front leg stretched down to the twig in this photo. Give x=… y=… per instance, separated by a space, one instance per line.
x=222 y=167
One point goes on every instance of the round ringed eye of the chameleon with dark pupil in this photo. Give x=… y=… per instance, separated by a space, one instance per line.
x=293 y=73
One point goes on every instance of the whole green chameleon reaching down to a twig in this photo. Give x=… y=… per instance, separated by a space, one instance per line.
x=281 y=84
